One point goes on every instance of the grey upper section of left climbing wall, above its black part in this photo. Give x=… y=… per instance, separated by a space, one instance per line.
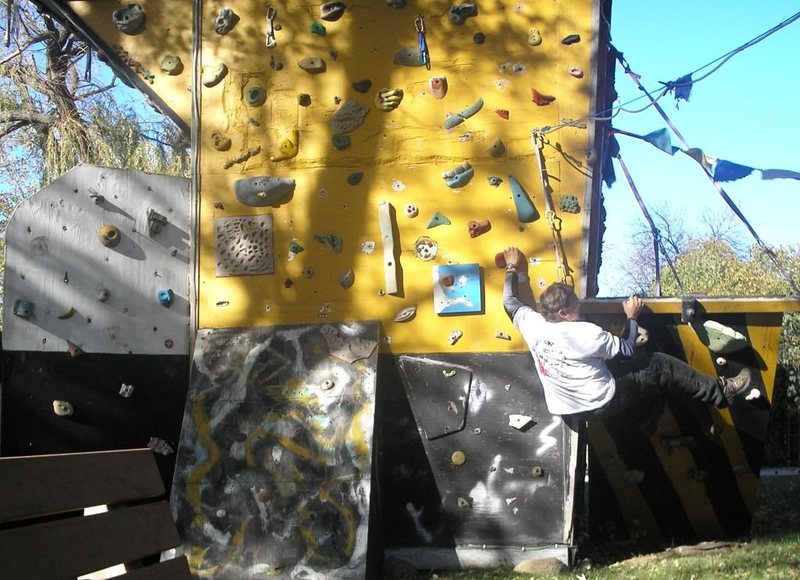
x=98 y=262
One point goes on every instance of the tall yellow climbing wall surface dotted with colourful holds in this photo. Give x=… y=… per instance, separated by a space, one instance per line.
x=402 y=153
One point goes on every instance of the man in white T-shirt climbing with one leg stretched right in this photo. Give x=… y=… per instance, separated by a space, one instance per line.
x=586 y=371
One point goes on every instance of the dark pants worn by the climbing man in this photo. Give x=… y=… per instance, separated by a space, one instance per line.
x=654 y=374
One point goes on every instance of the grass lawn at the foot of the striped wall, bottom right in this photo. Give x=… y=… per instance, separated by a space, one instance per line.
x=773 y=551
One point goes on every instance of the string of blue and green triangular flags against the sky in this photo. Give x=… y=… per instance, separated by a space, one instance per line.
x=719 y=169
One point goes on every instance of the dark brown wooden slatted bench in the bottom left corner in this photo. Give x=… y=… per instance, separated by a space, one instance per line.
x=44 y=534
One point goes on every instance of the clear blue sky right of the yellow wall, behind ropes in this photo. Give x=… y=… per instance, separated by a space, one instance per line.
x=747 y=112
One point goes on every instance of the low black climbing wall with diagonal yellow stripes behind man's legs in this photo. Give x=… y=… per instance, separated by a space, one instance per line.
x=677 y=470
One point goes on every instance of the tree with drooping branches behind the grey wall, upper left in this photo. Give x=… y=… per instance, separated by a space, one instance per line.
x=60 y=107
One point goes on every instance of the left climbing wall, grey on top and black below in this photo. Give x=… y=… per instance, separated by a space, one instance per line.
x=96 y=315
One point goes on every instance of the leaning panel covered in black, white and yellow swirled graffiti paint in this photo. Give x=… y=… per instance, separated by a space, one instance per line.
x=274 y=465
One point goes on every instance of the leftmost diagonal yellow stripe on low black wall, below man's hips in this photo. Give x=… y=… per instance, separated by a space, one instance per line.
x=634 y=507
